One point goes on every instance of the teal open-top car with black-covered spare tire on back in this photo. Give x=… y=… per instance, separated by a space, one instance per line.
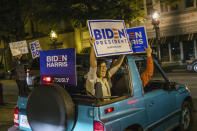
x=161 y=105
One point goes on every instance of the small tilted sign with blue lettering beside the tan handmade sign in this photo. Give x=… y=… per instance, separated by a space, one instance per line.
x=35 y=48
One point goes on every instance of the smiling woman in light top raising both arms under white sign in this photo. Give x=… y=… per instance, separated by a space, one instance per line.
x=99 y=74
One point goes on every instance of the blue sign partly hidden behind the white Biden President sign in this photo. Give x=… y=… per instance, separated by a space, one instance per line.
x=138 y=39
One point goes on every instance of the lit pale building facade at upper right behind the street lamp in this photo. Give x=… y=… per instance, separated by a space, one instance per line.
x=178 y=29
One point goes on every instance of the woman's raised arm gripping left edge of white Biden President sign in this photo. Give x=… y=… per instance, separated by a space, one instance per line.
x=93 y=61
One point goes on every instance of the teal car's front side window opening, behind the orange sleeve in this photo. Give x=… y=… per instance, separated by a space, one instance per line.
x=156 y=82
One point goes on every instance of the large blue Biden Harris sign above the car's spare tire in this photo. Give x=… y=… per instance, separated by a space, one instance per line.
x=60 y=65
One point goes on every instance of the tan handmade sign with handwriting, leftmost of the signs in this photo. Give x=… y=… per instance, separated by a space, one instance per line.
x=19 y=47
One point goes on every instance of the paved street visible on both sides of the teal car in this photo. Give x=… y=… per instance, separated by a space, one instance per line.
x=11 y=91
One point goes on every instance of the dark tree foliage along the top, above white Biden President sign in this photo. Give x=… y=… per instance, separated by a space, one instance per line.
x=78 y=12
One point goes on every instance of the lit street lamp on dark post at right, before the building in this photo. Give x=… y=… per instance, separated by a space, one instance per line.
x=155 y=23
